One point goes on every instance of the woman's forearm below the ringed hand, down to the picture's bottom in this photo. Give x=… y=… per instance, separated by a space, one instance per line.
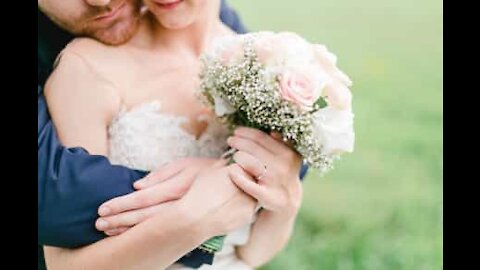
x=270 y=234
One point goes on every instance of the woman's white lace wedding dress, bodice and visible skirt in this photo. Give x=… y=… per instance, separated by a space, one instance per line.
x=144 y=138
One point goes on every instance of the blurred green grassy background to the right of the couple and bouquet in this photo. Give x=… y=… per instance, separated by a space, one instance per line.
x=381 y=207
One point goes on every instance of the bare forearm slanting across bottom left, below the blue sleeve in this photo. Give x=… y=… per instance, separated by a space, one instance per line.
x=154 y=244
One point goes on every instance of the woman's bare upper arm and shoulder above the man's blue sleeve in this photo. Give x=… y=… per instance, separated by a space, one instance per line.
x=81 y=103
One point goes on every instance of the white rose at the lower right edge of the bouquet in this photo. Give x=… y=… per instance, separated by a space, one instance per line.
x=334 y=128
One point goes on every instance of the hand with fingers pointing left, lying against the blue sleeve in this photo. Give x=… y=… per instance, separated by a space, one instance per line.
x=168 y=183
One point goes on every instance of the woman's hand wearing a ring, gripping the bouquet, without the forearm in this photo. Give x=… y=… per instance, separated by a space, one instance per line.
x=274 y=168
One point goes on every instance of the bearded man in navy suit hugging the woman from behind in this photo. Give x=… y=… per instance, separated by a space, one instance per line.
x=71 y=183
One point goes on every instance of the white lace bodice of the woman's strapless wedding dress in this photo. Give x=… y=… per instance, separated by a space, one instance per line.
x=145 y=138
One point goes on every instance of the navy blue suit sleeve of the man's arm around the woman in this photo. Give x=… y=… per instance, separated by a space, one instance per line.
x=71 y=186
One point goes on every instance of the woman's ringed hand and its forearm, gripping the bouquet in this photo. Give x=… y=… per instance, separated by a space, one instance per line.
x=278 y=190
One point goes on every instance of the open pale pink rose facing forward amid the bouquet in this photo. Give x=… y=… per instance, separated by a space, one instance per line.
x=301 y=87
